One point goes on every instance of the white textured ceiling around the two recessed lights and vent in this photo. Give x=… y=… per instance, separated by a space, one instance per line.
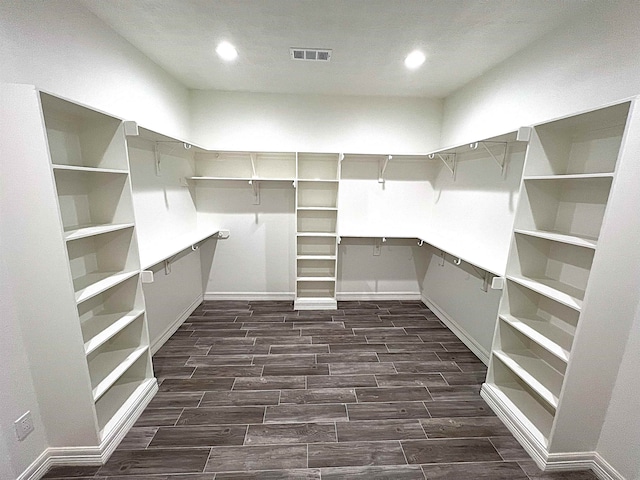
x=370 y=38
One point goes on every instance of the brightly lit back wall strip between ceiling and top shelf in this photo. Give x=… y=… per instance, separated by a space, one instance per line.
x=314 y=123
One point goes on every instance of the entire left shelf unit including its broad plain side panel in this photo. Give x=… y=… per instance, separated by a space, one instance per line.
x=85 y=311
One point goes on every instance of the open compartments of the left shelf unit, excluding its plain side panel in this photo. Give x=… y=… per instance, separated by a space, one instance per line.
x=90 y=171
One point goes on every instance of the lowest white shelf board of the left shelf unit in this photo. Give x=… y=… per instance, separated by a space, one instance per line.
x=129 y=395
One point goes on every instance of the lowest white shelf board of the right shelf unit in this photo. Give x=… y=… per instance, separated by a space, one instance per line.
x=521 y=408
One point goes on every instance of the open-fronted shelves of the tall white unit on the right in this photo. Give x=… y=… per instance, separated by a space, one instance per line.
x=568 y=177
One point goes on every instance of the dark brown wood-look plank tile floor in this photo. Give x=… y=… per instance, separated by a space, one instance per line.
x=373 y=390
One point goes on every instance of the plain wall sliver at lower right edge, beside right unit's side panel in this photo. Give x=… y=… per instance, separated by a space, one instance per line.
x=622 y=424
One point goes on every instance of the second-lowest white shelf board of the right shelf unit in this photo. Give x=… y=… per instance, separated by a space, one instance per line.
x=536 y=373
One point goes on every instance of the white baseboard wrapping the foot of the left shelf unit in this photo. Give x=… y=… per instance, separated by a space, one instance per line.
x=87 y=456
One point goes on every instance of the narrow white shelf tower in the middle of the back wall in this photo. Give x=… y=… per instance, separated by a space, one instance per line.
x=316 y=231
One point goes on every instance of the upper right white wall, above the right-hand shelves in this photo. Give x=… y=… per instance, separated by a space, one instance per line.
x=580 y=66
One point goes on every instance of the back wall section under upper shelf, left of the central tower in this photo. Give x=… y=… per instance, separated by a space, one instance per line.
x=257 y=260
